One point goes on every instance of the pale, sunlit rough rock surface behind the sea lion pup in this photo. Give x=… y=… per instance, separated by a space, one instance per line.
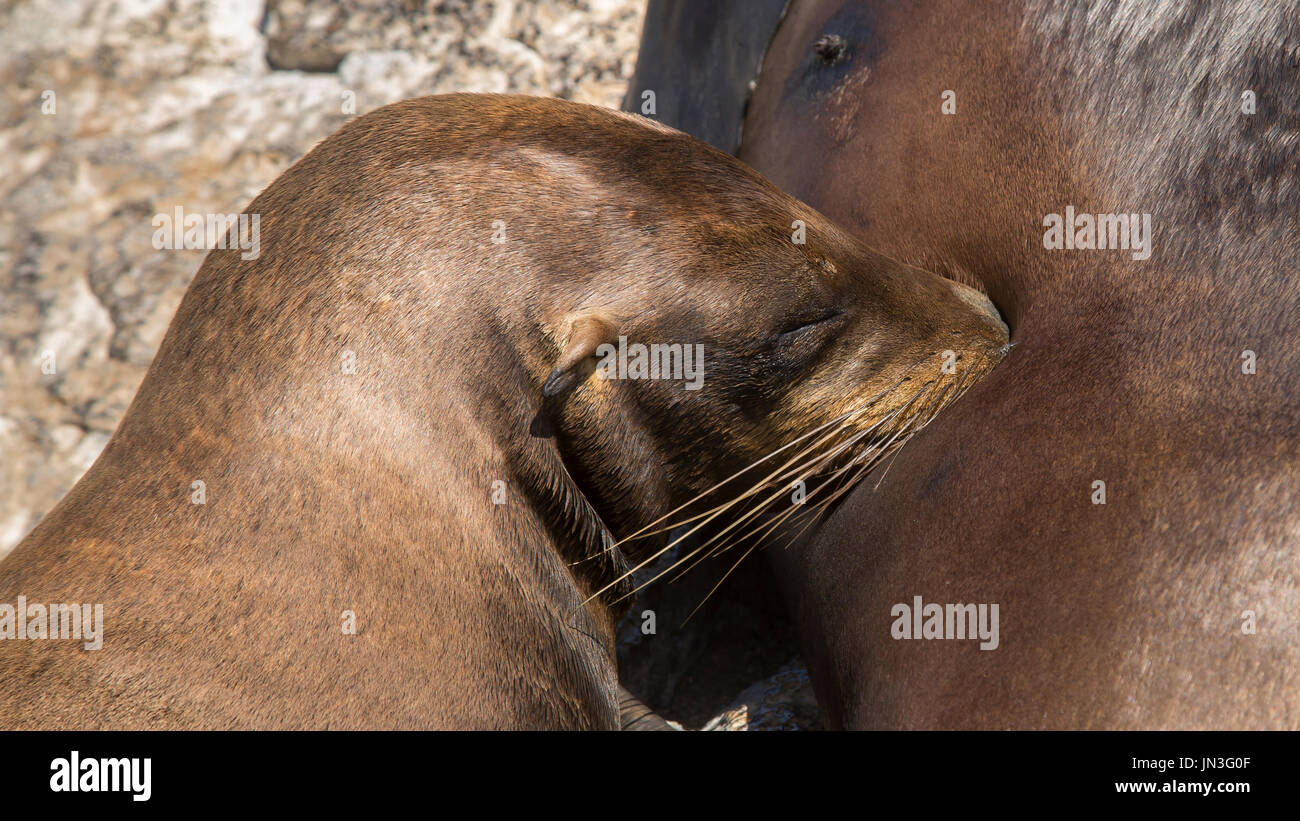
x=115 y=111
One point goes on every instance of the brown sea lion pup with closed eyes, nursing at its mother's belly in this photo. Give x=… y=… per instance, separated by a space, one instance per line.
x=400 y=418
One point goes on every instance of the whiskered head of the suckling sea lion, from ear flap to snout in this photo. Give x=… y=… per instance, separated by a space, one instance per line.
x=805 y=355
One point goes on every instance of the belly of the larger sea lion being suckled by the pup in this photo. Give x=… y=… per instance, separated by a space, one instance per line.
x=1124 y=486
